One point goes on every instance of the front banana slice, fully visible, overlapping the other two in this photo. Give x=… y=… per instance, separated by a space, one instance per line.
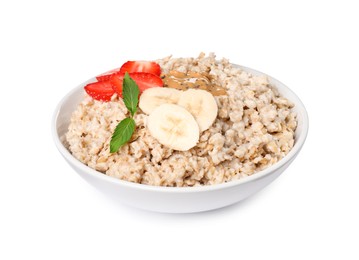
x=174 y=127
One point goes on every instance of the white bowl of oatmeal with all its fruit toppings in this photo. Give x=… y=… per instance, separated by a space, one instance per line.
x=180 y=135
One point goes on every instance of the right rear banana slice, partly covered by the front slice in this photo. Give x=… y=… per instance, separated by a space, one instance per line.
x=201 y=104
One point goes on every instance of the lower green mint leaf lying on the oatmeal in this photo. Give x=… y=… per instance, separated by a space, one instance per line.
x=122 y=134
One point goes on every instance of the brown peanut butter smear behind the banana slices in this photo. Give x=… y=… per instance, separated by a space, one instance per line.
x=191 y=79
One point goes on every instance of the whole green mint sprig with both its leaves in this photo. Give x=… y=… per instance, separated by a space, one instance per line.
x=126 y=127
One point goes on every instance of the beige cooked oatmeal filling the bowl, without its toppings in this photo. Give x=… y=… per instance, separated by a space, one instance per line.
x=254 y=129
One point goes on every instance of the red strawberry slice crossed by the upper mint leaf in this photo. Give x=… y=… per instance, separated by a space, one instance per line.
x=144 y=81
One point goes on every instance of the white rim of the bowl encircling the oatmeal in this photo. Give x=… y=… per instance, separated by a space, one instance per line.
x=256 y=176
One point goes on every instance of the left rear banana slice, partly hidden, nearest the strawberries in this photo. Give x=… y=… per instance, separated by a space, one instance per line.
x=154 y=97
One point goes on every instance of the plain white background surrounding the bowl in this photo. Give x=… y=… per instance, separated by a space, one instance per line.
x=49 y=47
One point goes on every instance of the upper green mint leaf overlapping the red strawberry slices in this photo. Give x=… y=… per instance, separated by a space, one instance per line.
x=130 y=93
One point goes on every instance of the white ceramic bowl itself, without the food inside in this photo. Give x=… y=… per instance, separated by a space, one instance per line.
x=177 y=199
